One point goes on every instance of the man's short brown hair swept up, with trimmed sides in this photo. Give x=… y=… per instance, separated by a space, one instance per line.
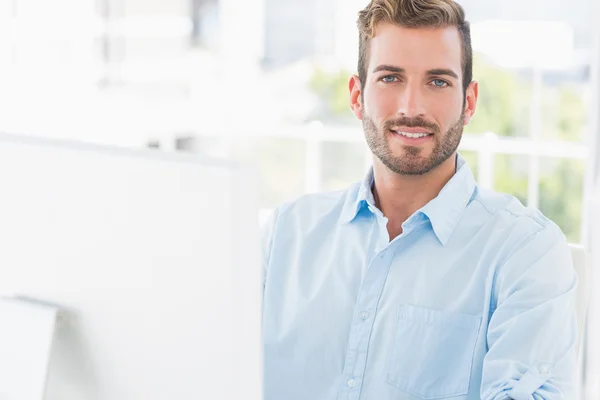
x=414 y=14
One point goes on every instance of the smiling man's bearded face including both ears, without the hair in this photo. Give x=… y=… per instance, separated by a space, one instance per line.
x=412 y=104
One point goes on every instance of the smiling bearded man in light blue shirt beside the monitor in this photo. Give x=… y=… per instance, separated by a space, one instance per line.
x=416 y=283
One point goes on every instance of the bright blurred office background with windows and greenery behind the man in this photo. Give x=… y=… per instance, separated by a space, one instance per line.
x=265 y=81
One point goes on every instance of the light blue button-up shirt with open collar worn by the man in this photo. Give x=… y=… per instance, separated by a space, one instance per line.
x=474 y=300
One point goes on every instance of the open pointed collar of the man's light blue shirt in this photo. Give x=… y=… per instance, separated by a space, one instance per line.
x=443 y=212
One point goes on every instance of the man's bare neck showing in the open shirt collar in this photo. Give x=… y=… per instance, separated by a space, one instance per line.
x=400 y=196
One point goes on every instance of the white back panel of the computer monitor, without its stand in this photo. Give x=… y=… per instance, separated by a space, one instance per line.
x=153 y=256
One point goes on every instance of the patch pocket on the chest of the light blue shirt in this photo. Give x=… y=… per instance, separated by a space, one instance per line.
x=432 y=352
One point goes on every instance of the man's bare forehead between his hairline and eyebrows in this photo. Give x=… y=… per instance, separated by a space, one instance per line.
x=416 y=49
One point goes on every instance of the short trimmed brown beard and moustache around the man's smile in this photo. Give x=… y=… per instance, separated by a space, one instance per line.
x=412 y=161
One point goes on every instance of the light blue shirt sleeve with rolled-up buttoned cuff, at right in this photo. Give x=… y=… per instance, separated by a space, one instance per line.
x=532 y=333
